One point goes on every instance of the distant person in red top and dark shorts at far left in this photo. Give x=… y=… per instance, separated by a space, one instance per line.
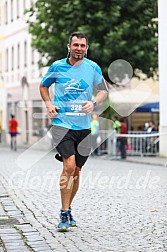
x=13 y=124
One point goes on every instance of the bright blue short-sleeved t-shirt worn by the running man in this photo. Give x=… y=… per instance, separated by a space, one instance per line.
x=73 y=86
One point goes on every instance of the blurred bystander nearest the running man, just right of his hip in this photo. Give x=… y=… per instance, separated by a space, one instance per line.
x=94 y=133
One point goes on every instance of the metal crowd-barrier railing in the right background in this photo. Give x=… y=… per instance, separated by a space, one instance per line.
x=139 y=143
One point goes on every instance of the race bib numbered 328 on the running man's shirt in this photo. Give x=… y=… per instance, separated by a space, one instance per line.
x=74 y=108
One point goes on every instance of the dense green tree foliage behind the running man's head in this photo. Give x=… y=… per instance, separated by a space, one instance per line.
x=124 y=29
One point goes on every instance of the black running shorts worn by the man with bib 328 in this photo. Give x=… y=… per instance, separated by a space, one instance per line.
x=70 y=142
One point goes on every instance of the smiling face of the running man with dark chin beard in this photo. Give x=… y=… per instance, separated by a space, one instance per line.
x=78 y=48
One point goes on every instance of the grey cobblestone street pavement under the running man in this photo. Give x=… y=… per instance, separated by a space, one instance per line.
x=120 y=206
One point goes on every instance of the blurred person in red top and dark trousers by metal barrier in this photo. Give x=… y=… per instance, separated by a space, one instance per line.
x=123 y=140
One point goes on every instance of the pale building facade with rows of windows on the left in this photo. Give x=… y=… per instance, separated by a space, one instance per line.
x=20 y=74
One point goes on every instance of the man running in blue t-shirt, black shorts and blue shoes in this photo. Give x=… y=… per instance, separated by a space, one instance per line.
x=74 y=78
